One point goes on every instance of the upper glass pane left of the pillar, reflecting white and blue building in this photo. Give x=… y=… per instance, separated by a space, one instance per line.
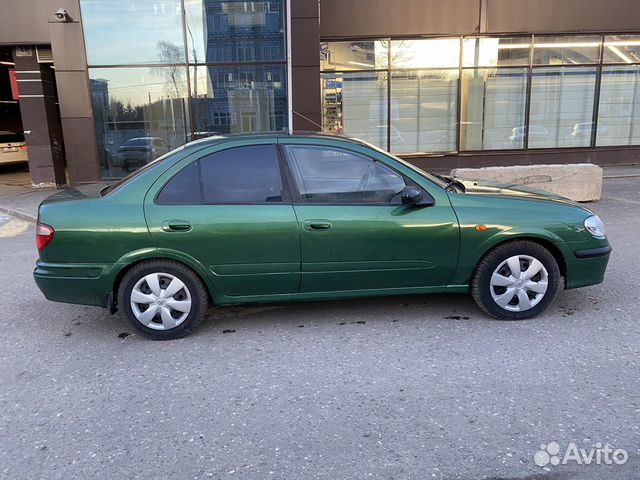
x=235 y=31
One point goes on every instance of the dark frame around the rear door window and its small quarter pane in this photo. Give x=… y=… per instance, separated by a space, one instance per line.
x=286 y=193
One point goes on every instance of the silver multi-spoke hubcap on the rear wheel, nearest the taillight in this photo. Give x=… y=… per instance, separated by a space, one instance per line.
x=160 y=301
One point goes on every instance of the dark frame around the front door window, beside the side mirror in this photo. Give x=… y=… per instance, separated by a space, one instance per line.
x=297 y=197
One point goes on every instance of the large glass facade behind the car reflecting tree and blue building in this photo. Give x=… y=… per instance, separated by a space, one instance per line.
x=227 y=75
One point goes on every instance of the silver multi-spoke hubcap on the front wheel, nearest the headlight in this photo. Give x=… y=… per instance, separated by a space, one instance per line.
x=519 y=283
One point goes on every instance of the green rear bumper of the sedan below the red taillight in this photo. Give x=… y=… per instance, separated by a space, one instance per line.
x=83 y=284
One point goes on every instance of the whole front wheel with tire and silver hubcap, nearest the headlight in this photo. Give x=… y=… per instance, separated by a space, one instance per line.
x=516 y=280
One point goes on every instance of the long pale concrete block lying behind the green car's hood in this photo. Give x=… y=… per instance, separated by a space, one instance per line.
x=581 y=182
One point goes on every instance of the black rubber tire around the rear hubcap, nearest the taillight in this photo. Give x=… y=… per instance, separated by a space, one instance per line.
x=194 y=288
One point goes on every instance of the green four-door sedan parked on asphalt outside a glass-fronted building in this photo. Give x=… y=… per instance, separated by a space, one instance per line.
x=278 y=217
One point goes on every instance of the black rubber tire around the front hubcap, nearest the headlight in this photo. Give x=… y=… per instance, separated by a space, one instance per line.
x=481 y=288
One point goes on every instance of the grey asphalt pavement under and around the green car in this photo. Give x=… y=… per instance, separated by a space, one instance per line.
x=392 y=388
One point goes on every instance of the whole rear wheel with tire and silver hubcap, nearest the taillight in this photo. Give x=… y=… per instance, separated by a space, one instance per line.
x=163 y=299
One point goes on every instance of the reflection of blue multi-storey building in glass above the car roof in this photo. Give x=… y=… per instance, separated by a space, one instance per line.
x=239 y=98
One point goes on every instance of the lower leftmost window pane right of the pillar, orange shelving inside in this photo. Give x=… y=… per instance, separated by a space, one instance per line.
x=355 y=104
